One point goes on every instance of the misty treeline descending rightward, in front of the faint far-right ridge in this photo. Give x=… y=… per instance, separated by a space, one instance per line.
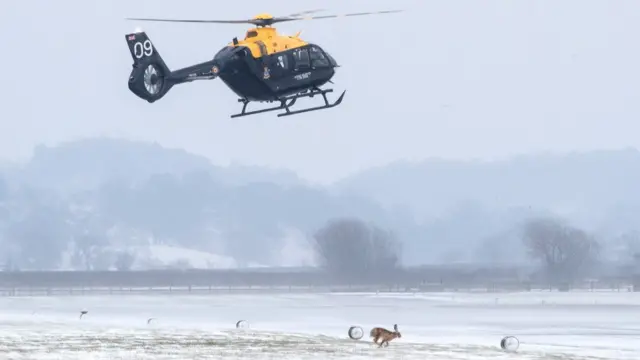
x=98 y=204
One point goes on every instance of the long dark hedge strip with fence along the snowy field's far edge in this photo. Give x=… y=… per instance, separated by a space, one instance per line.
x=57 y=283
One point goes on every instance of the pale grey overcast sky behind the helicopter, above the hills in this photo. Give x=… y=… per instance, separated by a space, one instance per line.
x=453 y=79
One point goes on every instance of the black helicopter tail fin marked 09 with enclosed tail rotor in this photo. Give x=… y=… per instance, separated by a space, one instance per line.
x=149 y=76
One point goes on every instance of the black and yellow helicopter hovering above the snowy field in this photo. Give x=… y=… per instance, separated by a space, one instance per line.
x=265 y=66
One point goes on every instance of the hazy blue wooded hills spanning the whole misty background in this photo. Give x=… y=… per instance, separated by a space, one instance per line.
x=65 y=206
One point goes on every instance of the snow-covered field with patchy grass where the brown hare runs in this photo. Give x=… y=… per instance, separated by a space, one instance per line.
x=434 y=326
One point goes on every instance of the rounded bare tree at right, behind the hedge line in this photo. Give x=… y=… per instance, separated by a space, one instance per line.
x=565 y=251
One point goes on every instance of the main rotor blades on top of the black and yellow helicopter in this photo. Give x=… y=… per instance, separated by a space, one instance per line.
x=263 y=20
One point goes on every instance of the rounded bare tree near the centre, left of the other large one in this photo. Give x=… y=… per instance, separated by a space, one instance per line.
x=355 y=249
